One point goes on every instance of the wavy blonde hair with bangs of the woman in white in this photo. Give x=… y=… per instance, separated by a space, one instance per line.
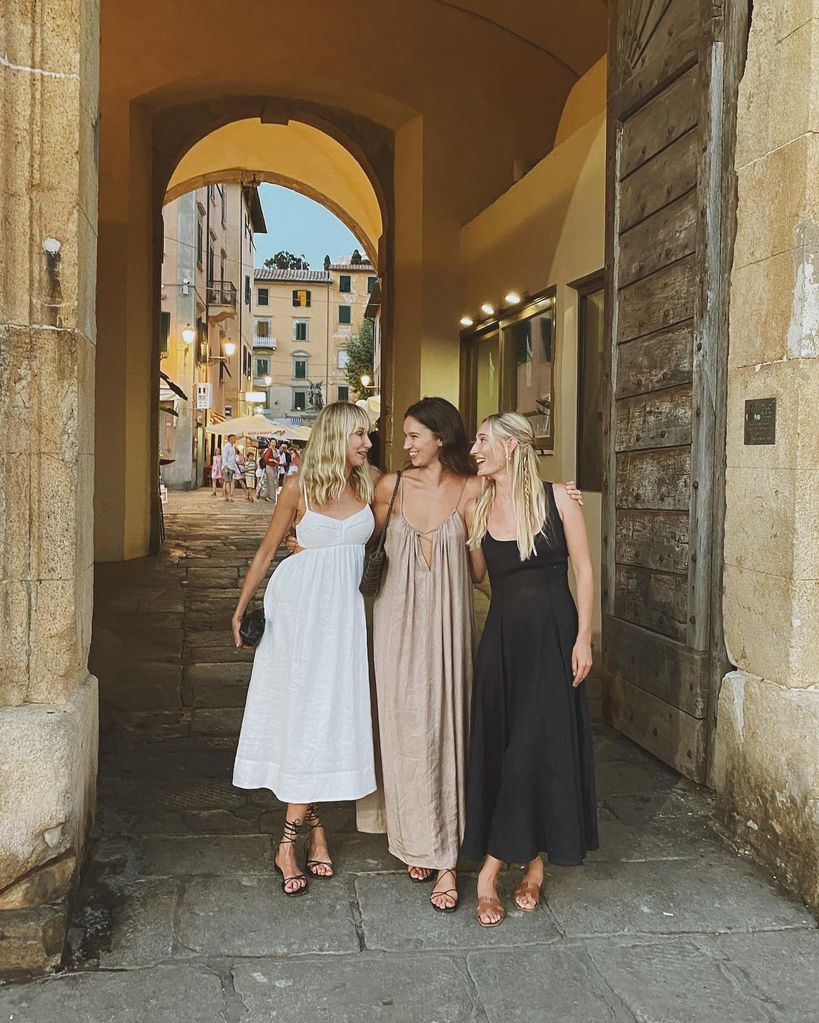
x=325 y=473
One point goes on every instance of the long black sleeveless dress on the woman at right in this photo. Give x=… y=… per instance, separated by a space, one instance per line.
x=530 y=784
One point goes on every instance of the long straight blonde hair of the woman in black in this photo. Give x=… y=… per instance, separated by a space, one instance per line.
x=529 y=498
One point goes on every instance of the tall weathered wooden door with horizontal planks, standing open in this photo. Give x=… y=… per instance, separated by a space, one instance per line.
x=674 y=69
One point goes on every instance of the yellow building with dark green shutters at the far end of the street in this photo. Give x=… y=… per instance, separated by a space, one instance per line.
x=303 y=321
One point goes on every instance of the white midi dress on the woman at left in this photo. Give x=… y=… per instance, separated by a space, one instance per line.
x=307 y=732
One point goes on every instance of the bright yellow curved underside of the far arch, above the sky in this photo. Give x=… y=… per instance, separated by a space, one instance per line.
x=294 y=155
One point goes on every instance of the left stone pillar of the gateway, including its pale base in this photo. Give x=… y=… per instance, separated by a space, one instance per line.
x=49 y=190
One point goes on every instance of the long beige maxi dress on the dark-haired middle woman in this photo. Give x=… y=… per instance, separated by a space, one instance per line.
x=424 y=641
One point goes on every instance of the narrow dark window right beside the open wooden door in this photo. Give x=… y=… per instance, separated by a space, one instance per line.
x=591 y=397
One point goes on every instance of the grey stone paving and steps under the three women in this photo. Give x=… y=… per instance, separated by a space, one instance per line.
x=181 y=918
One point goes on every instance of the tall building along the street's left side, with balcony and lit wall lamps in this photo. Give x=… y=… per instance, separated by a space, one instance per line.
x=206 y=347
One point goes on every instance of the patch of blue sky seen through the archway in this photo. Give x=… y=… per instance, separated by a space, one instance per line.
x=300 y=226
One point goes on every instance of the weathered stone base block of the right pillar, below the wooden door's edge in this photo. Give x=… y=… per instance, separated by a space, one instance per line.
x=767 y=775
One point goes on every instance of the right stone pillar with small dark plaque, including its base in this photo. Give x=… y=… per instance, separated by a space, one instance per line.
x=767 y=751
